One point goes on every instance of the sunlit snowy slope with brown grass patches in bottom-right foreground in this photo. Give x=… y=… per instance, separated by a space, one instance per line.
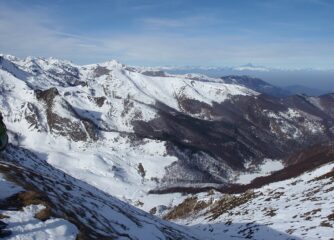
x=298 y=208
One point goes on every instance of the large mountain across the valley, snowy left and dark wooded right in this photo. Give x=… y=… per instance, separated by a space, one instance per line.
x=151 y=129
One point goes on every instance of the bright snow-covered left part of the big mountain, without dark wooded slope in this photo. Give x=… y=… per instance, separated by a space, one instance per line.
x=91 y=119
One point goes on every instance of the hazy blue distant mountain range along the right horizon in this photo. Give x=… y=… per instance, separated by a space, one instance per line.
x=312 y=82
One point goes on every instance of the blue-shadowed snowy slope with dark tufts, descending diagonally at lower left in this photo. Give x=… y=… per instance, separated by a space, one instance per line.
x=97 y=215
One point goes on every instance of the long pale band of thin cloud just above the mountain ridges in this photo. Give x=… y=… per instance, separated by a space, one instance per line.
x=33 y=32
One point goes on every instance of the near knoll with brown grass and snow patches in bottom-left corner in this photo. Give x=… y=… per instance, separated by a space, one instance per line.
x=27 y=215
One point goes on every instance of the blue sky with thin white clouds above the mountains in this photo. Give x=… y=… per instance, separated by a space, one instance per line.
x=274 y=33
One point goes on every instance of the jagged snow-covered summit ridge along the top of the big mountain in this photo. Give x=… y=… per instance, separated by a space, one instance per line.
x=65 y=73
